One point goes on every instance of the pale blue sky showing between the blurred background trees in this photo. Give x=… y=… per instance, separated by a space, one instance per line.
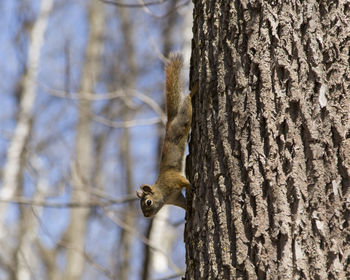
x=53 y=138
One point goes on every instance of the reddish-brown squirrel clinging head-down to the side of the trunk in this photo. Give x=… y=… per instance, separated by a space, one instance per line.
x=168 y=187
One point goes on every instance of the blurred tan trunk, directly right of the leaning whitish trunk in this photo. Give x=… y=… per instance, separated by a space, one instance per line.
x=82 y=166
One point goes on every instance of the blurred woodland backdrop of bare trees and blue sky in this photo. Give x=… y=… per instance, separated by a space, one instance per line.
x=81 y=128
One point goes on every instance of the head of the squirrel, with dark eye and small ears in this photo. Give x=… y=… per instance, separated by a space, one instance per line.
x=150 y=199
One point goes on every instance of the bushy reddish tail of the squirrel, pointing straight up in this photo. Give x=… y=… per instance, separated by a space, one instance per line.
x=173 y=85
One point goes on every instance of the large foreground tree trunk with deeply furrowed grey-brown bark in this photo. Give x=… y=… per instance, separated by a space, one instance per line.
x=270 y=145
